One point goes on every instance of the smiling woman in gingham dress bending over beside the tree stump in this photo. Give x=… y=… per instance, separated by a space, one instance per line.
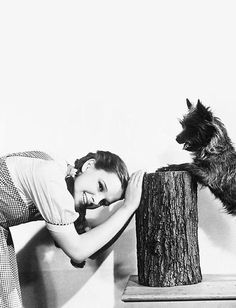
x=35 y=186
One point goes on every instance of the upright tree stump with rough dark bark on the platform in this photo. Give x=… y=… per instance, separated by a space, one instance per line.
x=167 y=230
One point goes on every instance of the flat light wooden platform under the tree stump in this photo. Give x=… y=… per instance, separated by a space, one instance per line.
x=212 y=287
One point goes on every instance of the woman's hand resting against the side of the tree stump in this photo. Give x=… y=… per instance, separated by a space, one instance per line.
x=134 y=190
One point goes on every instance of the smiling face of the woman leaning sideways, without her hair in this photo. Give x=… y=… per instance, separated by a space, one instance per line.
x=96 y=187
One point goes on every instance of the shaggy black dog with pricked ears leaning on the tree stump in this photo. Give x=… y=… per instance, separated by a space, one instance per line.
x=214 y=157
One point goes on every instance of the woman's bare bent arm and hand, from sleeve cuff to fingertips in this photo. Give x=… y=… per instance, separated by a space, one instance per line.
x=80 y=247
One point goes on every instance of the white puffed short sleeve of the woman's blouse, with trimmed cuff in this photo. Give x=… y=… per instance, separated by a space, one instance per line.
x=50 y=195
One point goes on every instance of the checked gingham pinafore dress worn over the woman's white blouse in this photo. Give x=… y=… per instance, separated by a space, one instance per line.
x=13 y=211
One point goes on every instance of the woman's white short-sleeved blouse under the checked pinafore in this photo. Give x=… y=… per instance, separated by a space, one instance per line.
x=42 y=182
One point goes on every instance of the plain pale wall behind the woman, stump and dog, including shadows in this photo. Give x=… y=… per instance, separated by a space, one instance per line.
x=77 y=76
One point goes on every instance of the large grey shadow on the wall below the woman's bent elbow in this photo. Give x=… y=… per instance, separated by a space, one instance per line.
x=47 y=278
